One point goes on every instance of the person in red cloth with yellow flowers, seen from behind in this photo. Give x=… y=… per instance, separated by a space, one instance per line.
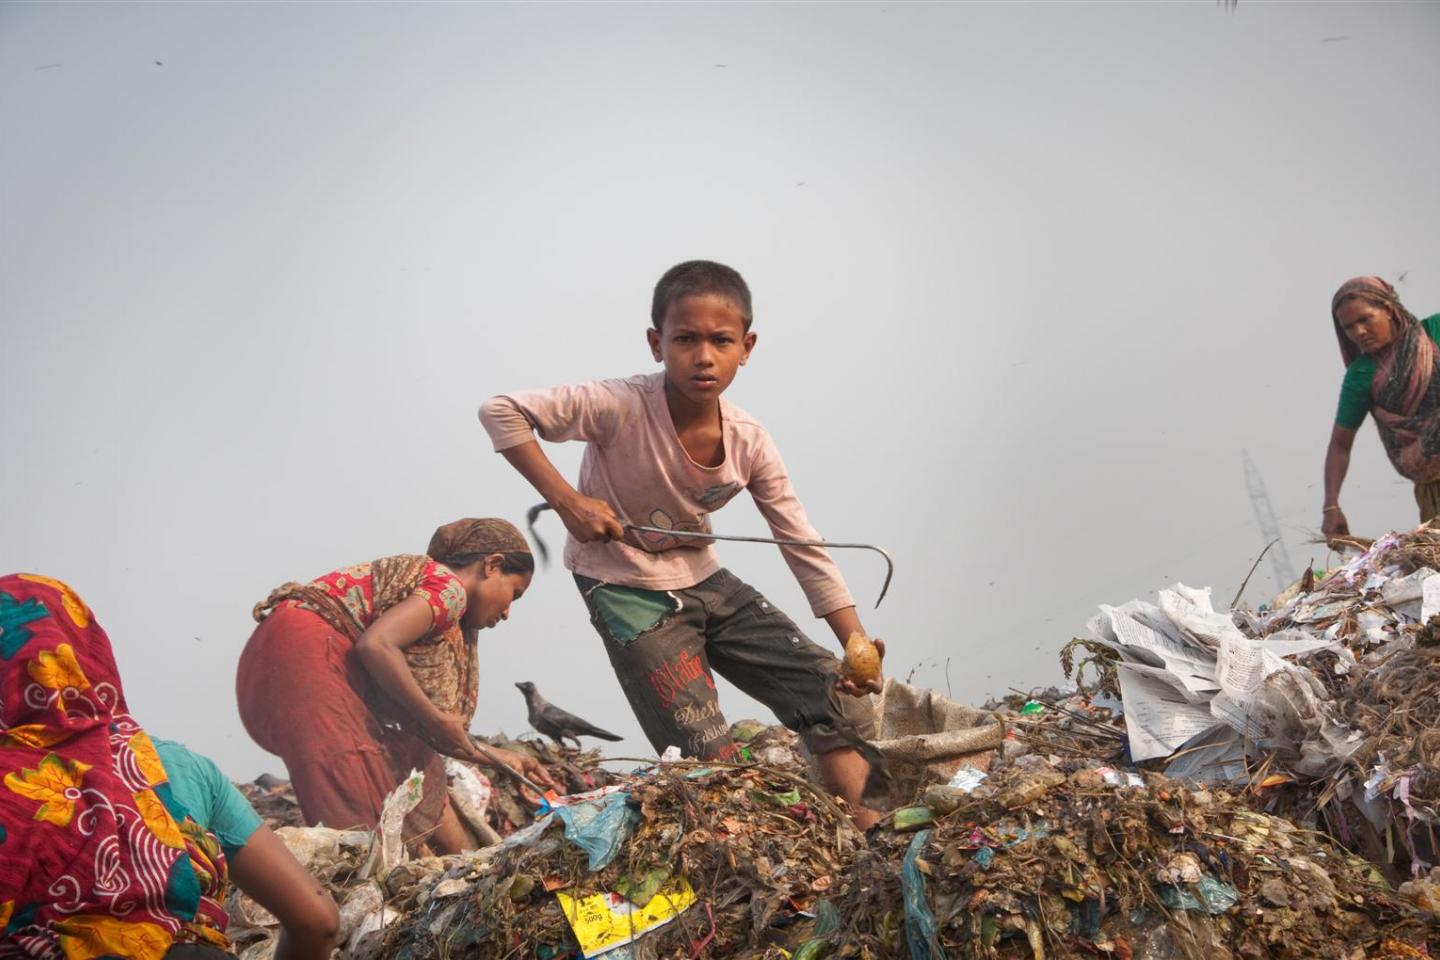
x=113 y=846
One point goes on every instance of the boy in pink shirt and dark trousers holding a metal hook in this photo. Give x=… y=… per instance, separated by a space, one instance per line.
x=667 y=451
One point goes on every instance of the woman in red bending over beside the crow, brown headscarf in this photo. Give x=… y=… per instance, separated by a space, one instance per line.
x=368 y=673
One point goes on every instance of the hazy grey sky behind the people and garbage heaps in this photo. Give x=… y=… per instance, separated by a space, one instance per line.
x=1027 y=280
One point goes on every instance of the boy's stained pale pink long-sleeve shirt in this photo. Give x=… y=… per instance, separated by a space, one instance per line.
x=636 y=463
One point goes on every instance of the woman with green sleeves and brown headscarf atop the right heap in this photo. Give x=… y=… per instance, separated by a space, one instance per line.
x=1393 y=372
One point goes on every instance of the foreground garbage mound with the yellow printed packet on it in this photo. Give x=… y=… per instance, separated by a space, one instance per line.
x=692 y=857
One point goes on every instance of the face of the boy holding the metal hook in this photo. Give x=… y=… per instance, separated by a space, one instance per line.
x=703 y=345
